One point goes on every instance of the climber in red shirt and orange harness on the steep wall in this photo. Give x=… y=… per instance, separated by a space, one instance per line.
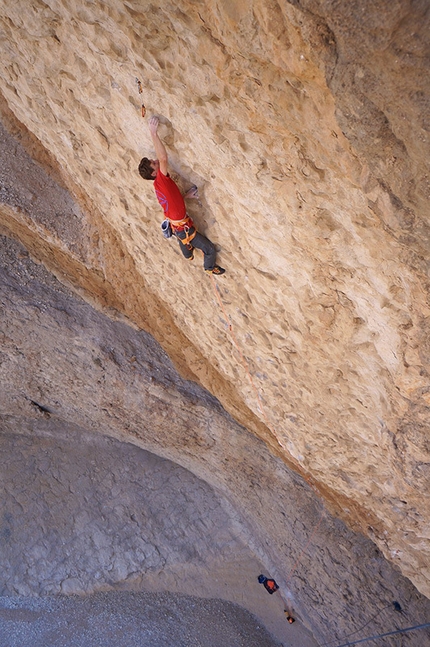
x=172 y=202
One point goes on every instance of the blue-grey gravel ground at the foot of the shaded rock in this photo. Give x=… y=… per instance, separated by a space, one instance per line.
x=129 y=620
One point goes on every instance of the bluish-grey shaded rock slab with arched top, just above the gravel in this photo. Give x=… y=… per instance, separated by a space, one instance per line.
x=95 y=512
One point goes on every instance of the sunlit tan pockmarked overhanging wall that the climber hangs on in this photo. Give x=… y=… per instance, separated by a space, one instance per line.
x=305 y=126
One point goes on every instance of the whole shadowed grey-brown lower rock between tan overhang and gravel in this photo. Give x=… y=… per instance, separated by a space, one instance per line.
x=84 y=513
